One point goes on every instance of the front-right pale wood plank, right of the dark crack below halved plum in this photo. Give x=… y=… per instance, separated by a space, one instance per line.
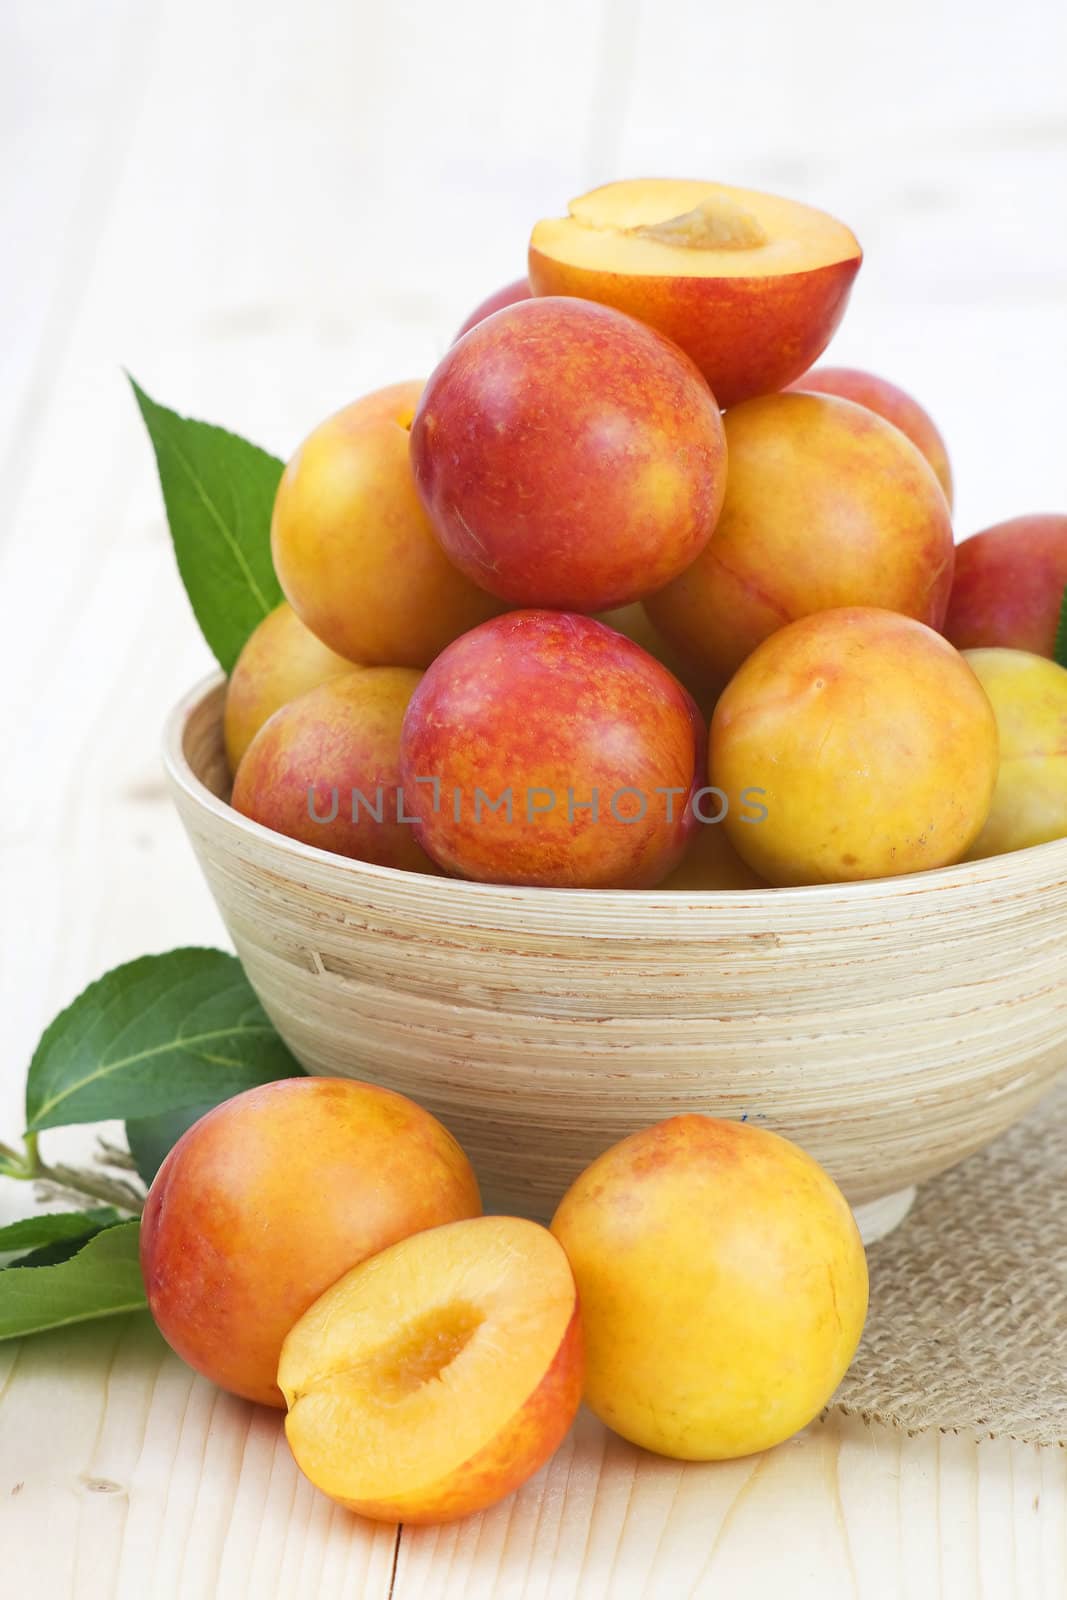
x=839 y=1513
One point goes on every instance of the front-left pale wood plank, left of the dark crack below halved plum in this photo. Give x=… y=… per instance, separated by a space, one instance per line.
x=126 y=1476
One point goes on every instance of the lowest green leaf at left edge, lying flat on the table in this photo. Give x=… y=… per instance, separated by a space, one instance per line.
x=102 y=1281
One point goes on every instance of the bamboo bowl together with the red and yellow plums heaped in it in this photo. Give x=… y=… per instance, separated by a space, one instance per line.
x=610 y=758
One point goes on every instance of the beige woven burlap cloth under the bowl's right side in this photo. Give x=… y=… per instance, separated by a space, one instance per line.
x=969 y=1298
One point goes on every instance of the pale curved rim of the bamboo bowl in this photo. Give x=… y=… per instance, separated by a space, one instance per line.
x=613 y=903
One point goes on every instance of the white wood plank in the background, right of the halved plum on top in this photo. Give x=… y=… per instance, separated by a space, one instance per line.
x=938 y=135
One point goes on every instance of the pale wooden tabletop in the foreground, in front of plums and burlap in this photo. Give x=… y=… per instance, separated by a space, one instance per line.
x=146 y=1481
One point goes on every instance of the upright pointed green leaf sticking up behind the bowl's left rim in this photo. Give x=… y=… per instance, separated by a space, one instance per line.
x=218 y=490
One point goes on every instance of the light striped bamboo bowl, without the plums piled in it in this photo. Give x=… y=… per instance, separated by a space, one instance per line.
x=890 y=1028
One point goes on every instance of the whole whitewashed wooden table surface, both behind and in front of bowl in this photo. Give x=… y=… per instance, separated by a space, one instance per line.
x=265 y=210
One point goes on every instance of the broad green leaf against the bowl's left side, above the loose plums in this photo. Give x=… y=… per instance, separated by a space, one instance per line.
x=156 y=1036
